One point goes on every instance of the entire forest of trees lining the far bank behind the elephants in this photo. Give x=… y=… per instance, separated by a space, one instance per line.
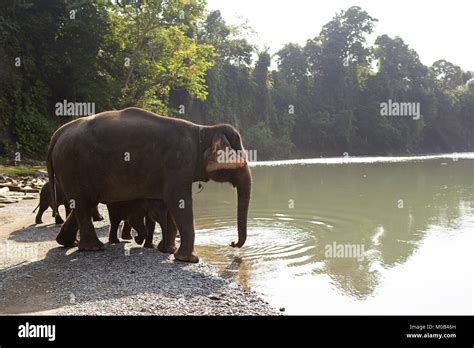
x=177 y=59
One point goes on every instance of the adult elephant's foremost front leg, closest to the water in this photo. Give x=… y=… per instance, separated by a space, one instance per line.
x=181 y=208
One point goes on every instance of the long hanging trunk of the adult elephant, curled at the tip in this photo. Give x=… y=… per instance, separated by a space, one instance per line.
x=244 y=188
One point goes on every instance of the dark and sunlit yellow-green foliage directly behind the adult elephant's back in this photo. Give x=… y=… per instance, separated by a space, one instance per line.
x=112 y=54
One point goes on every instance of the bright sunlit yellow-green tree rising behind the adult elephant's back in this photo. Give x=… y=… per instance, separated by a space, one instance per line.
x=160 y=51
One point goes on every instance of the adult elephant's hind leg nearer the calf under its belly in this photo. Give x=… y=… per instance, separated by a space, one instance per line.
x=88 y=240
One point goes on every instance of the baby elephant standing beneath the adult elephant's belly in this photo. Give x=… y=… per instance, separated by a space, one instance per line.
x=134 y=213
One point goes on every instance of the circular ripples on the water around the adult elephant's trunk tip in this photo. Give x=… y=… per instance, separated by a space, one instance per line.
x=275 y=243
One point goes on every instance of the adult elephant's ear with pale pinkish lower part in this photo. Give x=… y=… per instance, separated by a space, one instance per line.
x=222 y=156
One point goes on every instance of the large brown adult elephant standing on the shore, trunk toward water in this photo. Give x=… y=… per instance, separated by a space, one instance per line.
x=135 y=154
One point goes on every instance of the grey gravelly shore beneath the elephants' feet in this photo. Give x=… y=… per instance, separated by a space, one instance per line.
x=37 y=276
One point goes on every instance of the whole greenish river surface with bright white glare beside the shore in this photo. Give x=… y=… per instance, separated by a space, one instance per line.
x=412 y=218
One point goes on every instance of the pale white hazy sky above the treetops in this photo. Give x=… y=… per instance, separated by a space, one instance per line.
x=435 y=29
